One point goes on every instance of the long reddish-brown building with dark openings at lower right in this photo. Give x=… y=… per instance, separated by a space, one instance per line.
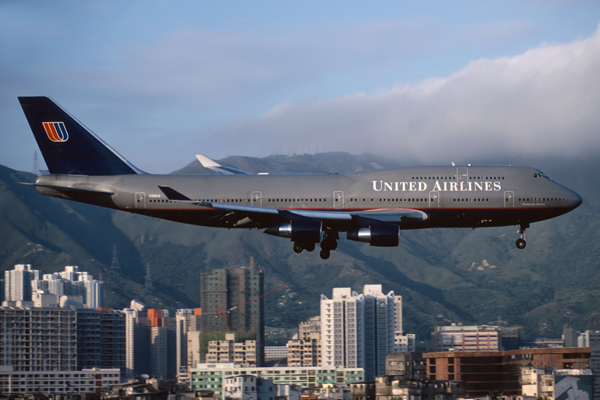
x=500 y=371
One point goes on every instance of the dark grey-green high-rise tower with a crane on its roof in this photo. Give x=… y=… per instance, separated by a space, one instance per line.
x=231 y=302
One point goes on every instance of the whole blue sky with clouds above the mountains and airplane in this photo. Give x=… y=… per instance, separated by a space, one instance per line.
x=429 y=82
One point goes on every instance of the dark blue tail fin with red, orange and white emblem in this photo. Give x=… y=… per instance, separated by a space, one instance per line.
x=69 y=147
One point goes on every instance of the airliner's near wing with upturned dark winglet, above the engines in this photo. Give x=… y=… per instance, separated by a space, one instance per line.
x=246 y=213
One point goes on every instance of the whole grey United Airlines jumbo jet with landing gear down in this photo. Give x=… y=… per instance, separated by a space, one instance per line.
x=369 y=206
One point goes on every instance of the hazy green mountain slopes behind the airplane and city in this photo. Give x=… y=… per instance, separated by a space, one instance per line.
x=444 y=276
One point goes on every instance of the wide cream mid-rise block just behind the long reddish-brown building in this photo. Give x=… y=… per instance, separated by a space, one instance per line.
x=466 y=338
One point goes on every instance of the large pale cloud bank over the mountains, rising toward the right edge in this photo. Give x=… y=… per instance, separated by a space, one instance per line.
x=544 y=101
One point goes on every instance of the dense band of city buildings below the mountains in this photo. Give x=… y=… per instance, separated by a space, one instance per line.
x=57 y=340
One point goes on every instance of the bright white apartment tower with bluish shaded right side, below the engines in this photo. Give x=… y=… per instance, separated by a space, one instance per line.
x=357 y=330
